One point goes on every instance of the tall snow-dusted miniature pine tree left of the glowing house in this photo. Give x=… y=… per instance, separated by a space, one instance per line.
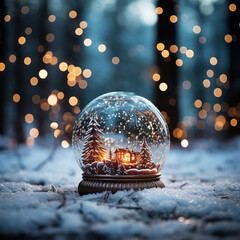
x=93 y=149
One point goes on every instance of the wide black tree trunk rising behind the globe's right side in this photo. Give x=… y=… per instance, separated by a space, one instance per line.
x=166 y=34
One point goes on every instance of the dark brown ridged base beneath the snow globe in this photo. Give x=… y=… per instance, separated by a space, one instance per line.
x=114 y=183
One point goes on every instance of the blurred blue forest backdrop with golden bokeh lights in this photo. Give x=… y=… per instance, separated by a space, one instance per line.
x=56 y=56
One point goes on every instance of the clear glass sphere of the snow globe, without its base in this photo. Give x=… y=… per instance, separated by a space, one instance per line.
x=120 y=133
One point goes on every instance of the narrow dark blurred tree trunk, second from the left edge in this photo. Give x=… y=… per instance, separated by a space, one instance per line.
x=19 y=77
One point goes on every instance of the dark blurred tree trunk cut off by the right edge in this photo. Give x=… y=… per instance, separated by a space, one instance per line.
x=233 y=97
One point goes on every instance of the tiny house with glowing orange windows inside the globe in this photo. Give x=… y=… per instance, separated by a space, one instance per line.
x=124 y=155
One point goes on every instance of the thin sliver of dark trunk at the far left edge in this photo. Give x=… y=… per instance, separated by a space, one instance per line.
x=2 y=81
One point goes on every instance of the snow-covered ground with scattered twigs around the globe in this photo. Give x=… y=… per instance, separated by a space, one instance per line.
x=201 y=199
